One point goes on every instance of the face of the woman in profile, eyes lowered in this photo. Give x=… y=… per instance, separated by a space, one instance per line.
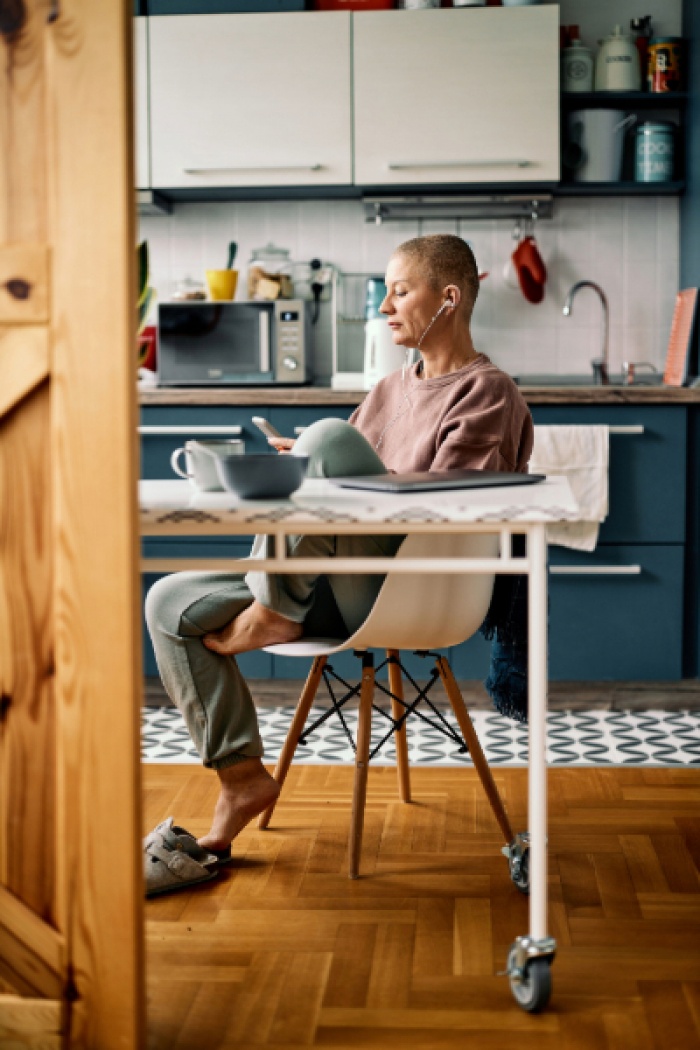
x=411 y=302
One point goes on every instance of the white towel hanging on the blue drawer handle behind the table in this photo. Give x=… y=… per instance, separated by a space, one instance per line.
x=581 y=453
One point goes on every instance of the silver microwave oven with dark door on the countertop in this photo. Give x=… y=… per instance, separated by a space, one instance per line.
x=234 y=344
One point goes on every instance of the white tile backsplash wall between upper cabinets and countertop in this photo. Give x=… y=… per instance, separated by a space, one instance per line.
x=627 y=245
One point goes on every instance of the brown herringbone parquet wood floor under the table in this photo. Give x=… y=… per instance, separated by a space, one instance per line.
x=286 y=952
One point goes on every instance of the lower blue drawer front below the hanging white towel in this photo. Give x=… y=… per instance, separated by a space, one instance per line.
x=612 y=625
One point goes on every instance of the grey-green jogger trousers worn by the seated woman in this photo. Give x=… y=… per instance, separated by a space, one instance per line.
x=209 y=689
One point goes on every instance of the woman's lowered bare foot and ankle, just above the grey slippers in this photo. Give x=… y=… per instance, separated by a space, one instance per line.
x=247 y=790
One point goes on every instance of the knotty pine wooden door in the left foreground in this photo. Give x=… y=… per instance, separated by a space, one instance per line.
x=71 y=934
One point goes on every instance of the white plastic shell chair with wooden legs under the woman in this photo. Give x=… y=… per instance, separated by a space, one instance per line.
x=415 y=613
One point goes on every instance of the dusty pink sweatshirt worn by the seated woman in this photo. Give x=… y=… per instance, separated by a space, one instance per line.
x=475 y=417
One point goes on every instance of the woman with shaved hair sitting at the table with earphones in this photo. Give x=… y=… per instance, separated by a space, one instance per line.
x=453 y=409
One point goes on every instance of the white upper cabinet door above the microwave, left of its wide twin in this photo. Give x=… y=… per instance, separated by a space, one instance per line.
x=251 y=100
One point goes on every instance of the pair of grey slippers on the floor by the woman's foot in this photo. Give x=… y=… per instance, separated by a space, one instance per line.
x=175 y=860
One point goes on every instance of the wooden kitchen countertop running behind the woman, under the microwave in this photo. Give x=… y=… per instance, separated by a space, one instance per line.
x=324 y=395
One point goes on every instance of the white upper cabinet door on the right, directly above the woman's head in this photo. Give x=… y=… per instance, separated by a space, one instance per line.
x=461 y=96
